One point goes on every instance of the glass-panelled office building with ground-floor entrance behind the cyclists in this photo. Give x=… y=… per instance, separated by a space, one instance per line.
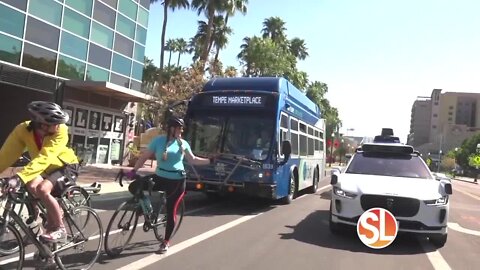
x=92 y=49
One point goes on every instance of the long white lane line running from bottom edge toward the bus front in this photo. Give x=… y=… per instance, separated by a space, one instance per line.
x=151 y=259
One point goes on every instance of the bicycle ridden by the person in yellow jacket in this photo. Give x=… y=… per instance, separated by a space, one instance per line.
x=78 y=227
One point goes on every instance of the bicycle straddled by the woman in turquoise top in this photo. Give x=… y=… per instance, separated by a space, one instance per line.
x=130 y=211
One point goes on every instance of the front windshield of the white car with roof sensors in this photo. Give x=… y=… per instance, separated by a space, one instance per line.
x=388 y=165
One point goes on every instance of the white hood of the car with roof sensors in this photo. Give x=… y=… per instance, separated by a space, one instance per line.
x=423 y=189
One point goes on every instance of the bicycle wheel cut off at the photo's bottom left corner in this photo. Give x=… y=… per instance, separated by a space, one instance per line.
x=9 y=240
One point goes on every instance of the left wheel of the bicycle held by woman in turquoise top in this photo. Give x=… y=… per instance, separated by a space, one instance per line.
x=121 y=228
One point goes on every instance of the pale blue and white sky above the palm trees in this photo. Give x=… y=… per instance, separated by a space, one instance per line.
x=376 y=56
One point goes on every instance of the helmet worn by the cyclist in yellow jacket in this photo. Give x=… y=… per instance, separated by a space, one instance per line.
x=48 y=113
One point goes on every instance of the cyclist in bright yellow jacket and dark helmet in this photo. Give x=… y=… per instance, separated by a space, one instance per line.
x=45 y=138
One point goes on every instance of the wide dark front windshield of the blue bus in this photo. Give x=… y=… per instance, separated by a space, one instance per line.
x=246 y=135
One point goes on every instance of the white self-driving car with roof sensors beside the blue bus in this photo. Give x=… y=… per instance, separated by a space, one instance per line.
x=392 y=176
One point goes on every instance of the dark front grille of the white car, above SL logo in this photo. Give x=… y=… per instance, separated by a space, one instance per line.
x=398 y=206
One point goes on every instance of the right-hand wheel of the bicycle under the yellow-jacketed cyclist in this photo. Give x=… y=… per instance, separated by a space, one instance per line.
x=84 y=239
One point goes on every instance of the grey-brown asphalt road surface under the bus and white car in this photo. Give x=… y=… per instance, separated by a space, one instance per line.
x=245 y=233
